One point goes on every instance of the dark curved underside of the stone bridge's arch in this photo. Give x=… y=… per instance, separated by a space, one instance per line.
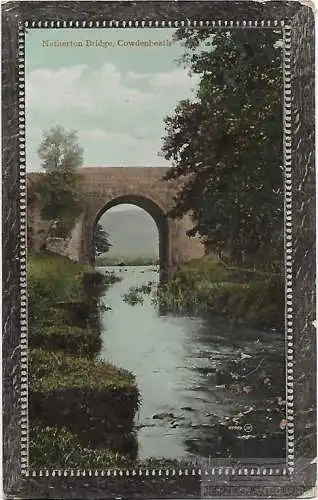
x=157 y=215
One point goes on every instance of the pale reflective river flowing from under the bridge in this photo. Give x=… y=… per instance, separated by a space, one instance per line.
x=176 y=360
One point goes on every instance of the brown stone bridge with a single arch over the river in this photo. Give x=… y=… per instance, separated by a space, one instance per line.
x=105 y=187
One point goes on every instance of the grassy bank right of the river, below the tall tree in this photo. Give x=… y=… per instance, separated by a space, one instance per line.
x=247 y=295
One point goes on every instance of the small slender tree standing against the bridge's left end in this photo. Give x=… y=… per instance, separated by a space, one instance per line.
x=60 y=191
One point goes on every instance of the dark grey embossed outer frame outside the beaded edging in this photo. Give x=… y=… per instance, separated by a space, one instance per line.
x=185 y=483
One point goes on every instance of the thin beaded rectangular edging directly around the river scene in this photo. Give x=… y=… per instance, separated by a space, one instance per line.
x=220 y=467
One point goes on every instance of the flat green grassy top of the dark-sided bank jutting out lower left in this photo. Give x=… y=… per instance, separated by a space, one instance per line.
x=51 y=371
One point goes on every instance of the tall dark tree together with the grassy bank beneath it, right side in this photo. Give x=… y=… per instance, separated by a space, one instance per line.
x=226 y=146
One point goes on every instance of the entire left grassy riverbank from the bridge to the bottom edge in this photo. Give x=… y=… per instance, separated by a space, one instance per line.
x=75 y=399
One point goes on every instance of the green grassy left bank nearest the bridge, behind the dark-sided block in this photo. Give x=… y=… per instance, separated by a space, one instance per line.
x=61 y=312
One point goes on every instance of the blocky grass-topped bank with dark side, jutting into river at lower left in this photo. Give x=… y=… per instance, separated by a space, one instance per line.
x=92 y=399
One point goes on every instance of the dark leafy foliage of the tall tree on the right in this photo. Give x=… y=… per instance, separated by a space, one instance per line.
x=228 y=141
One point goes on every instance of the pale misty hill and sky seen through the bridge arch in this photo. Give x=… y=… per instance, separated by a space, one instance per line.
x=133 y=233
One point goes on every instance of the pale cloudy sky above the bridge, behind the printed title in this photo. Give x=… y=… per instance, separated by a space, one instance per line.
x=115 y=97
